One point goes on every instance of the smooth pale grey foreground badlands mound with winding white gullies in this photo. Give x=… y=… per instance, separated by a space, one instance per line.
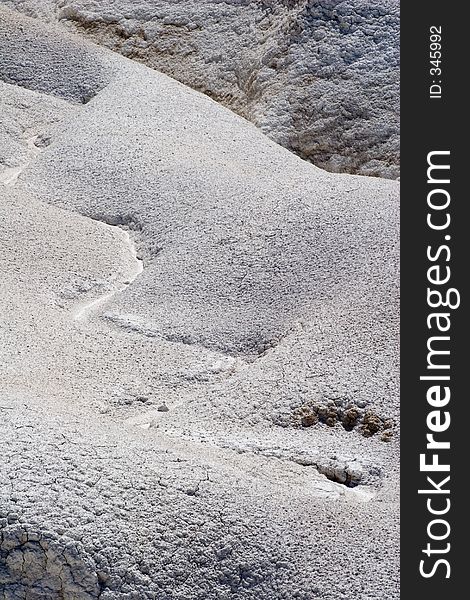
x=198 y=345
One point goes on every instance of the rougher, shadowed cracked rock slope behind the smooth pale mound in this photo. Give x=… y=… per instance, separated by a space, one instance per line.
x=320 y=77
